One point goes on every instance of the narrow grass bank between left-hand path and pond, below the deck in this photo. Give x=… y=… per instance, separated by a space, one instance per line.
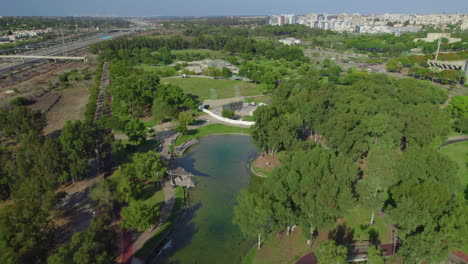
x=164 y=229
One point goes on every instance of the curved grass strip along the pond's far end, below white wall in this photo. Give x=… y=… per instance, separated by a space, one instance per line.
x=211 y=129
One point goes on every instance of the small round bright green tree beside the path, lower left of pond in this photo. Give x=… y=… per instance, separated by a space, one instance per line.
x=138 y=215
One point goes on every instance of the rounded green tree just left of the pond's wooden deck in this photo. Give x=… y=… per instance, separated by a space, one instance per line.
x=150 y=166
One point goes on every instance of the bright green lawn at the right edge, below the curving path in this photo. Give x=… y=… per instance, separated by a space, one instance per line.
x=458 y=152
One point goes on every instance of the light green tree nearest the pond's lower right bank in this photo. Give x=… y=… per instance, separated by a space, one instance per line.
x=253 y=215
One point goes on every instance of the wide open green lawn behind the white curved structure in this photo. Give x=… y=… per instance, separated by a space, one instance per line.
x=204 y=88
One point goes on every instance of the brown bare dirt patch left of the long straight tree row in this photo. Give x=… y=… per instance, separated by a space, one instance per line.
x=70 y=106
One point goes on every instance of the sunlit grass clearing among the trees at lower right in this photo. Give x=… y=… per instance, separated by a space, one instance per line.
x=359 y=216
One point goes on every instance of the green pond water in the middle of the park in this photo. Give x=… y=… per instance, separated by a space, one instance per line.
x=205 y=233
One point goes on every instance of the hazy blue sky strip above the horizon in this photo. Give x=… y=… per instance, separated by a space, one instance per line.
x=223 y=7
